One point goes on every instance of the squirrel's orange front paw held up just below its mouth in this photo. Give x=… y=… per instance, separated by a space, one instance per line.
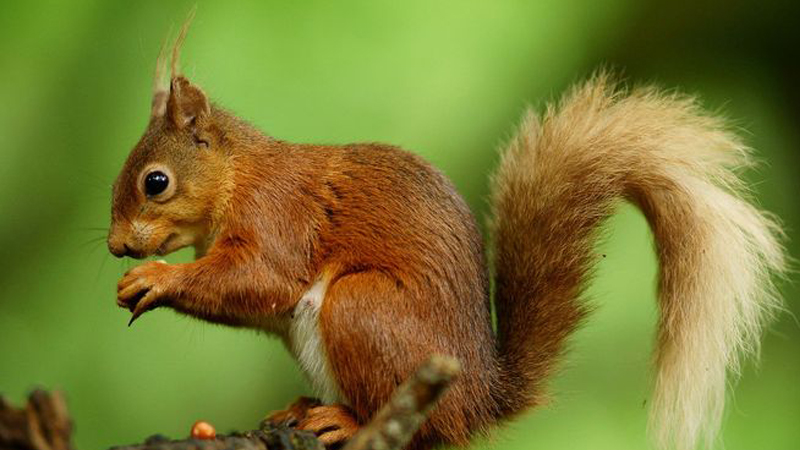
x=144 y=288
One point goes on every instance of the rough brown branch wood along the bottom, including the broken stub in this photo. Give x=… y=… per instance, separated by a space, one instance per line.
x=44 y=424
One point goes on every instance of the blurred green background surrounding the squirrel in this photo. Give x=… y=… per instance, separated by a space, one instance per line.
x=447 y=80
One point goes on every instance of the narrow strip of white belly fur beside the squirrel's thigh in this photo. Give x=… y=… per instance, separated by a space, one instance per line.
x=305 y=342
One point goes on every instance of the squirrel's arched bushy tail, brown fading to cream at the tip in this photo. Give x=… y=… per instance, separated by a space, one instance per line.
x=563 y=174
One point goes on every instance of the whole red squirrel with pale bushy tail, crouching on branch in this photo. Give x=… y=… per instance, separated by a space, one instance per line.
x=365 y=260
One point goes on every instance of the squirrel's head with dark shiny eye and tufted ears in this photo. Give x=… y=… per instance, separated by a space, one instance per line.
x=166 y=194
